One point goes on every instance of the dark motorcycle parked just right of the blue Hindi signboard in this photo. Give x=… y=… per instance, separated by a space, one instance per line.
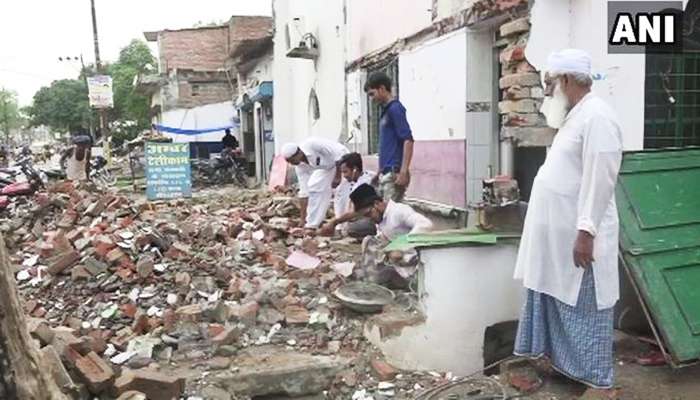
x=223 y=169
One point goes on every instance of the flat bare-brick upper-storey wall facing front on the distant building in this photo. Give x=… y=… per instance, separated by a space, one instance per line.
x=203 y=49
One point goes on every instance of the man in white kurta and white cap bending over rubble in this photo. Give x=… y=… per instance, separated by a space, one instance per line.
x=316 y=161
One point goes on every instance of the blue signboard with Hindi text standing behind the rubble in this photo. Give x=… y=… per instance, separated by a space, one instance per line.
x=168 y=171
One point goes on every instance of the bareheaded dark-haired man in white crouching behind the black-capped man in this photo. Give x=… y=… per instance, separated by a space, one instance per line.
x=353 y=172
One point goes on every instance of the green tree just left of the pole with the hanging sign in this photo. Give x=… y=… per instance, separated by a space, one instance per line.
x=63 y=106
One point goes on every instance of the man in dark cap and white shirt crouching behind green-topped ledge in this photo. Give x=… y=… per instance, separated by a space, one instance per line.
x=392 y=219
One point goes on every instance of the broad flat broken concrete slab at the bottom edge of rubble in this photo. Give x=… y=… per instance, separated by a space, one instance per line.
x=268 y=370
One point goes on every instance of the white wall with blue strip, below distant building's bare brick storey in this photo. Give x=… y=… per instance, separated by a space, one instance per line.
x=203 y=117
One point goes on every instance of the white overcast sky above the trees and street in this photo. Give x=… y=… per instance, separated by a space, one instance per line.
x=34 y=33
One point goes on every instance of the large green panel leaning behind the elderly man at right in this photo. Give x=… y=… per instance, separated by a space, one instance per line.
x=658 y=198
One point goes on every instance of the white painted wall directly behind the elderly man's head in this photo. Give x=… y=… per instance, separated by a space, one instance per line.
x=558 y=24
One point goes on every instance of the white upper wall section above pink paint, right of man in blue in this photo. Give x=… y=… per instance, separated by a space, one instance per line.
x=434 y=92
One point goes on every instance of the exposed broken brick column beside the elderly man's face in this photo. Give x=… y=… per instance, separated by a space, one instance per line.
x=522 y=91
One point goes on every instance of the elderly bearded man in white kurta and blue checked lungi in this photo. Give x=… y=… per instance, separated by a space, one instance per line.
x=568 y=252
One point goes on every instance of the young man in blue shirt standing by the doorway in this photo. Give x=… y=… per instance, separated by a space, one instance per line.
x=395 y=139
